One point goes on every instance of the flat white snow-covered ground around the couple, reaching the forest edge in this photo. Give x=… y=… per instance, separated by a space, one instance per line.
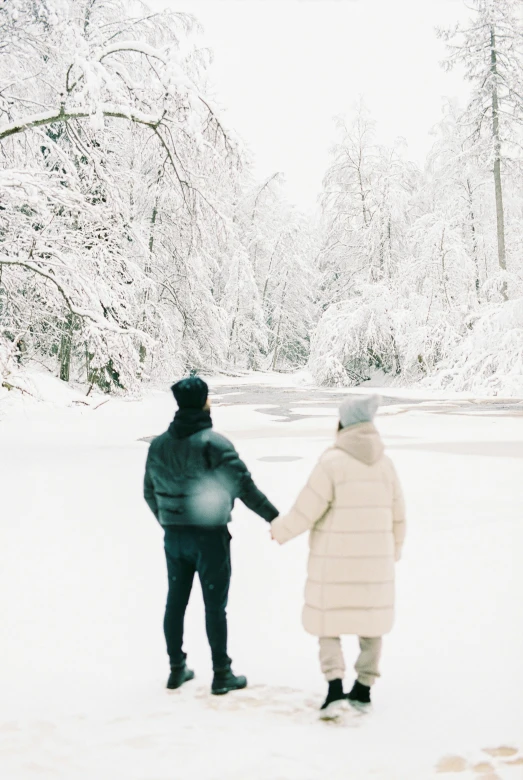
x=83 y=584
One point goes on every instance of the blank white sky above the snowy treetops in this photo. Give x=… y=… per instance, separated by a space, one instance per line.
x=285 y=68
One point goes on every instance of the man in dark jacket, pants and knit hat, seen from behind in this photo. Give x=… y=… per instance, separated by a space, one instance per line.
x=192 y=478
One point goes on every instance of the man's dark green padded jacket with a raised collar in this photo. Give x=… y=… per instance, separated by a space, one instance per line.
x=193 y=476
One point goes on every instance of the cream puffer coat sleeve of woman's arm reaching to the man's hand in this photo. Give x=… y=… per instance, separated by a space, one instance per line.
x=310 y=506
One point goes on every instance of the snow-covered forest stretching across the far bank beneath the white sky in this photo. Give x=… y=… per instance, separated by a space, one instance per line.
x=136 y=242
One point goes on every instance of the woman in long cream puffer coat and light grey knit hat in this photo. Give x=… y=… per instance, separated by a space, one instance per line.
x=353 y=506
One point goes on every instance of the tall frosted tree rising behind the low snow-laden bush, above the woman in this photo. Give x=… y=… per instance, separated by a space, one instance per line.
x=365 y=197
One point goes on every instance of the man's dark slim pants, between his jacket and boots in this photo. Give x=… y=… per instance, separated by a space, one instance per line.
x=206 y=552
